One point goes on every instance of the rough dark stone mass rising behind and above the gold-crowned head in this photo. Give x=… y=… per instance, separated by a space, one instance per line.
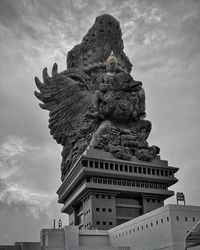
x=105 y=35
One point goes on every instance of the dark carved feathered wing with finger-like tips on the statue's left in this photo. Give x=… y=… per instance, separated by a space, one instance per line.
x=67 y=97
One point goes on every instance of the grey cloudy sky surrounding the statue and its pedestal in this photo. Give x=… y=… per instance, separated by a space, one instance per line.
x=161 y=39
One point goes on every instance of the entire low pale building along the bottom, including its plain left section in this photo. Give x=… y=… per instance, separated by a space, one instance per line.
x=164 y=228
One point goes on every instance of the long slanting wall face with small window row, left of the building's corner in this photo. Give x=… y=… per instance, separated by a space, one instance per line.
x=149 y=231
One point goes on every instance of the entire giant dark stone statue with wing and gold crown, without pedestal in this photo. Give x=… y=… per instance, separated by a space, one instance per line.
x=96 y=99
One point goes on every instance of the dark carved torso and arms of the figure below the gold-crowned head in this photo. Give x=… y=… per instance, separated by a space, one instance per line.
x=120 y=97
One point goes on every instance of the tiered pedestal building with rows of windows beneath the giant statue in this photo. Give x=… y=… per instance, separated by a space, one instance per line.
x=101 y=192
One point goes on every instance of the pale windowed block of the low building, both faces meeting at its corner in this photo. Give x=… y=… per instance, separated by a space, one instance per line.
x=158 y=229
